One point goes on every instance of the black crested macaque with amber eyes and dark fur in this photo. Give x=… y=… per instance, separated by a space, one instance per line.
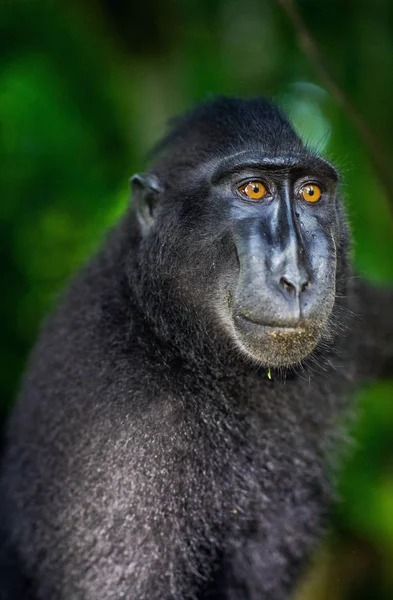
x=180 y=416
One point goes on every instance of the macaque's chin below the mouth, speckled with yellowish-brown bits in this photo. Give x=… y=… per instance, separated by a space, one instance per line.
x=273 y=345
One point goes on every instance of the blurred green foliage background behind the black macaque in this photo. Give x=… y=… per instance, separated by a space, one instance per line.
x=85 y=89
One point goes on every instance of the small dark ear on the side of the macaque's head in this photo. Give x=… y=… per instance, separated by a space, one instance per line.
x=146 y=191
